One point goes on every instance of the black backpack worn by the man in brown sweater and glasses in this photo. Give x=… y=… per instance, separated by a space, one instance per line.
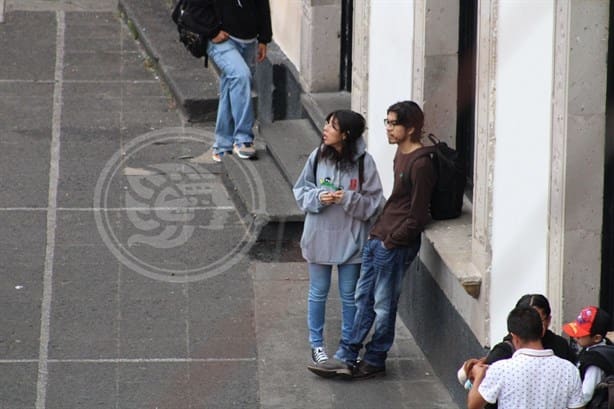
x=447 y=197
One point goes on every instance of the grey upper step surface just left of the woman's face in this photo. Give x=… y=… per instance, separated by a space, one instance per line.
x=289 y=143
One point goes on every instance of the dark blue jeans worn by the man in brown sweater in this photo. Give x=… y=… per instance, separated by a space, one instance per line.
x=377 y=296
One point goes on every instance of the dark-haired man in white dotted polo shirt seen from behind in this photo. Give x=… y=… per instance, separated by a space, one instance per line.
x=534 y=378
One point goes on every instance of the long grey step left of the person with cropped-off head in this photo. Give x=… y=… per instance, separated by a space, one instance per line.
x=194 y=87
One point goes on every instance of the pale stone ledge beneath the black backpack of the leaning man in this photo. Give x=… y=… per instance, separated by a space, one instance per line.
x=451 y=241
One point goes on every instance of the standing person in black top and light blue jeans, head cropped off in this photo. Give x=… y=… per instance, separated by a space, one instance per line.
x=239 y=31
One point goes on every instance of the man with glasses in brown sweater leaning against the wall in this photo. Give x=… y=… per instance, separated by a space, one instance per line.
x=393 y=244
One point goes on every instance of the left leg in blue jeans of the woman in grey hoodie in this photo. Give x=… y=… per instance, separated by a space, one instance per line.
x=319 y=284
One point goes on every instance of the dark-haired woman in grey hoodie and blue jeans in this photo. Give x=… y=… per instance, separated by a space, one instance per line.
x=340 y=191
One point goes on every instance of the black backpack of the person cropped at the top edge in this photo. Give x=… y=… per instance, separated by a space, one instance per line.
x=190 y=27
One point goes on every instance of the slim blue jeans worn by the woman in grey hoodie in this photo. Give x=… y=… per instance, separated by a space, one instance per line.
x=319 y=284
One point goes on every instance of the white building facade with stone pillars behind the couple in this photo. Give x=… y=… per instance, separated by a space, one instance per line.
x=538 y=76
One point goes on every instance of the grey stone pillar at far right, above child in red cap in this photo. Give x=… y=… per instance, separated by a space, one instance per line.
x=585 y=97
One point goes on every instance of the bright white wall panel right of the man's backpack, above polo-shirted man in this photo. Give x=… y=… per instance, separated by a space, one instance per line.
x=522 y=156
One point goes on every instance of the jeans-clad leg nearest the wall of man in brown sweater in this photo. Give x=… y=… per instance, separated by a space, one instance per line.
x=392 y=265
